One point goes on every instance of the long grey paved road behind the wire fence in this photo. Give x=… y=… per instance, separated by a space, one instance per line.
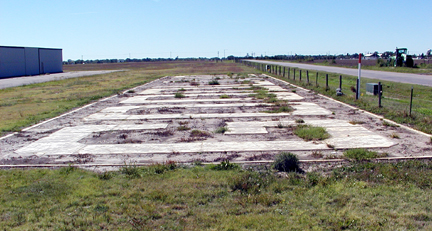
x=381 y=75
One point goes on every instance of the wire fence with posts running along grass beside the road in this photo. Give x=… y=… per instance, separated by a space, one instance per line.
x=404 y=103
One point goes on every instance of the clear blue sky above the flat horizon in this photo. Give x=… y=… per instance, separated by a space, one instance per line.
x=120 y=29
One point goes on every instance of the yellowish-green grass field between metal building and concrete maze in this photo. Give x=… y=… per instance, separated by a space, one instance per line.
x=27 y=105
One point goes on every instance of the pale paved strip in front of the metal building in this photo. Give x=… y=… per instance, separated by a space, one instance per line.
x=25 y=80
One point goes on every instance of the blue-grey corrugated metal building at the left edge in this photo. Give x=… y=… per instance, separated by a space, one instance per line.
x=21 y=61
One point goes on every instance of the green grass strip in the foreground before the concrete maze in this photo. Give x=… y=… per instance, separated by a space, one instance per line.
x=394 y=196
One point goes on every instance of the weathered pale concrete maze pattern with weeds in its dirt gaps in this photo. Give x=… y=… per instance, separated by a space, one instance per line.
x=149 y=122
